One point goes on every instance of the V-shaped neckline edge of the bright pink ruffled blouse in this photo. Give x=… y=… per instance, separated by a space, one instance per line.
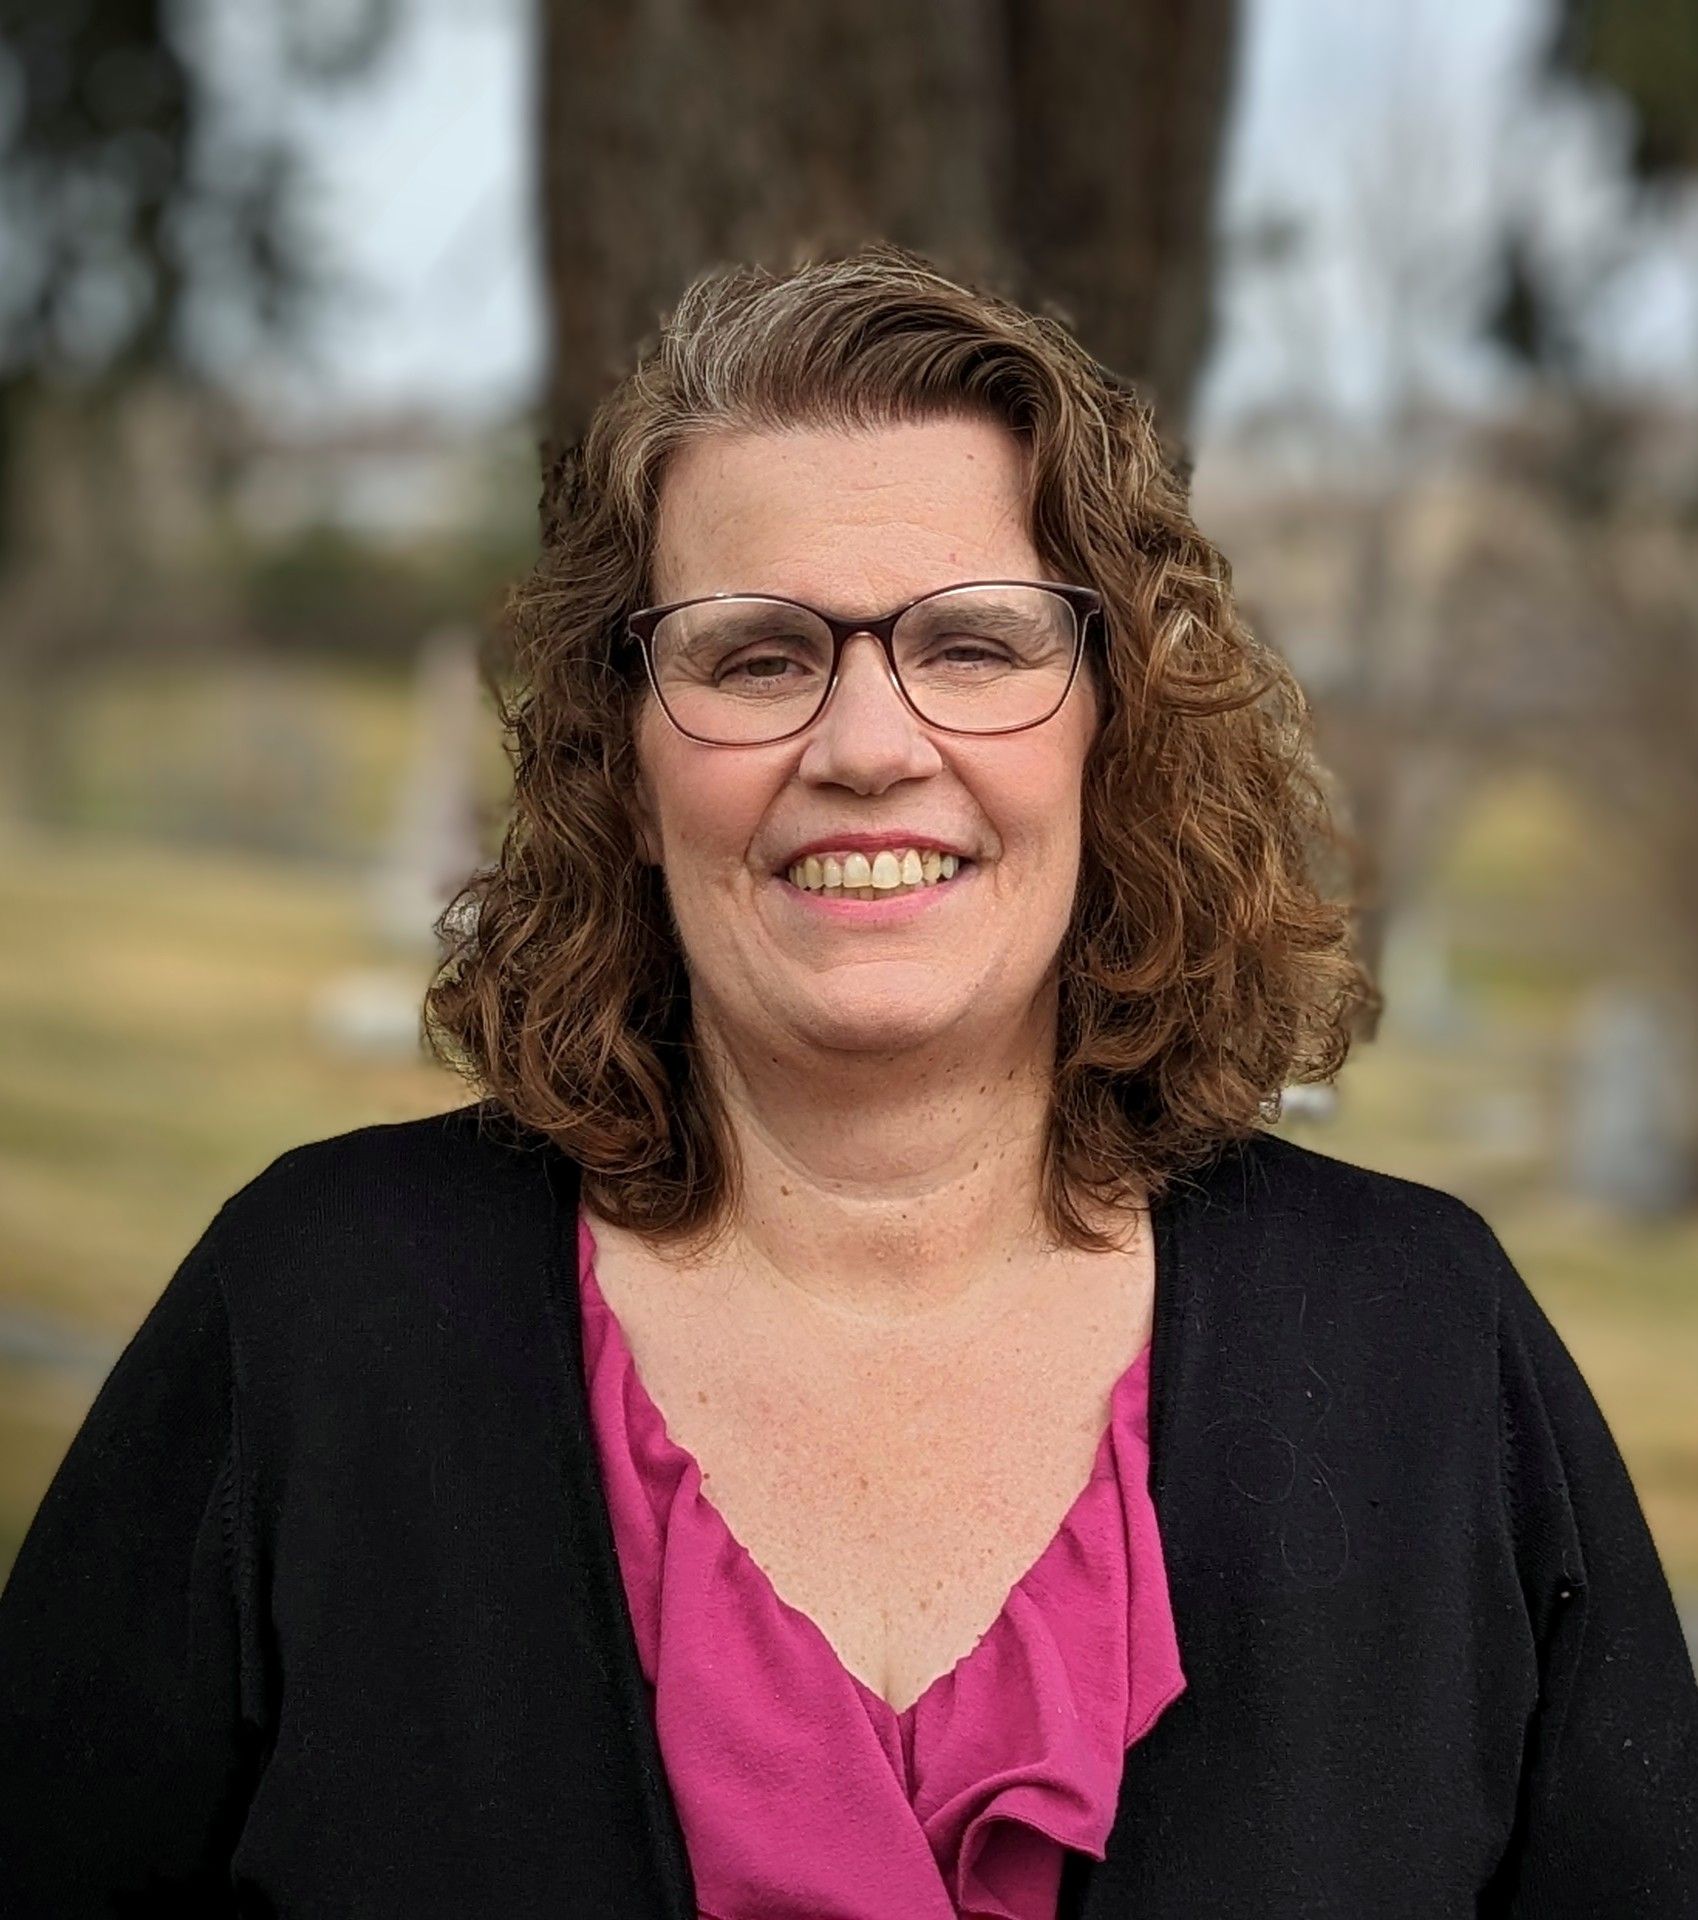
x=1130 y=1381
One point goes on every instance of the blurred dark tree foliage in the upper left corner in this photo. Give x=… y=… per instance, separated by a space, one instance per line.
x=147 y=212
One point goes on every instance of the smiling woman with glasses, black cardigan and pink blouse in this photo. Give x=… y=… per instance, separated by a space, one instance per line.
x=860 y=1420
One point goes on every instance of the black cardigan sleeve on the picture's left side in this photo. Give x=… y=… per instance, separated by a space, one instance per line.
x=124 y=1758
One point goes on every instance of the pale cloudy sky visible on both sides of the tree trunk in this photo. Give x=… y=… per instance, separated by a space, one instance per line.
x=1386 y=130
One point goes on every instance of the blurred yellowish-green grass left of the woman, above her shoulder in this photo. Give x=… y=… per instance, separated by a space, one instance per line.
x=158 y=1009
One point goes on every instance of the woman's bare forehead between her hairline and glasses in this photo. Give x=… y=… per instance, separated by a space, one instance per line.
x=844 y=517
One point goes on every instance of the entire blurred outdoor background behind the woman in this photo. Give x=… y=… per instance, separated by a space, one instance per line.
x=297 y=297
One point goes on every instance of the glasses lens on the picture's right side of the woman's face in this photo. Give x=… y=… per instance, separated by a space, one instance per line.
x=982 y=660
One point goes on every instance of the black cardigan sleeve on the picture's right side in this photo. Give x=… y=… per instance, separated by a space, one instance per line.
x=1609 y=1819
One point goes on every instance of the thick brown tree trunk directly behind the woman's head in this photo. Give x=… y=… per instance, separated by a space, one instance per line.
x=1065 y=149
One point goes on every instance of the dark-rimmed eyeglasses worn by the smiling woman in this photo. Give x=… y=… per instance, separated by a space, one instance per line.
x=752 y=669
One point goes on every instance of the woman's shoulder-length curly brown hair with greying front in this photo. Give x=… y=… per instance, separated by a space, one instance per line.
x=1209 y=957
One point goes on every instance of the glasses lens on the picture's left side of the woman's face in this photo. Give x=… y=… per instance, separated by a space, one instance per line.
x=742 y=671
